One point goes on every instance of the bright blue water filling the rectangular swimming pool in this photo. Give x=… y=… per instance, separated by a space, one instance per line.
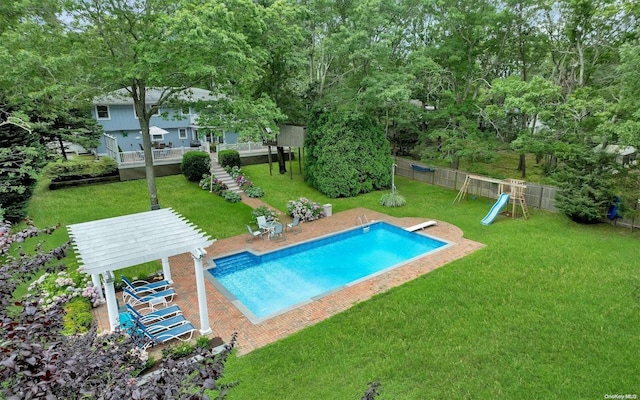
x=264 y=285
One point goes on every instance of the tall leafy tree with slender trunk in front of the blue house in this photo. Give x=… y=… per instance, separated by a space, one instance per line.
x=173 y=45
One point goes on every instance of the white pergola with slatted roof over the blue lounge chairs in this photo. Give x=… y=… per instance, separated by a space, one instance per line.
x=110 y=244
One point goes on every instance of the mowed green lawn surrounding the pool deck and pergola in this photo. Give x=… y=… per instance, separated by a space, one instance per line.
x=549 y=309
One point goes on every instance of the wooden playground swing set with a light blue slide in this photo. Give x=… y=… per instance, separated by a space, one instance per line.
x=509 y=191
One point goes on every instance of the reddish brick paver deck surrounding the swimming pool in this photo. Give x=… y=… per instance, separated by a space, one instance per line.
x=225 y=318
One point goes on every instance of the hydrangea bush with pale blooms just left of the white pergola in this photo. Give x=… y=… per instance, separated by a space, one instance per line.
x=63 y=286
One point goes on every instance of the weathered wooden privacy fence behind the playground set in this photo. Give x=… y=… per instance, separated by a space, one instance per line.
x=536 y=195
